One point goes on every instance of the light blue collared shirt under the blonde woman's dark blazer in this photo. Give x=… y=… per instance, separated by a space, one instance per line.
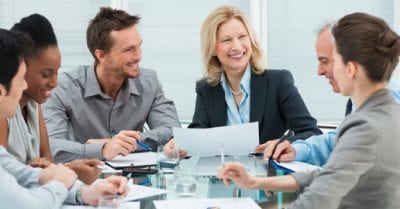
x=241 y=114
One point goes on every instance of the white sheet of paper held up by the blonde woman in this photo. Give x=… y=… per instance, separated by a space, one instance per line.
x=237 y=139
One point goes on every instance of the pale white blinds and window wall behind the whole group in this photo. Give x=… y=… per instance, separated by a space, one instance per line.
x=170 y=30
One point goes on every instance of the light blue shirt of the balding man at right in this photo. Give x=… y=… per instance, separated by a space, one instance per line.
x=316 y=149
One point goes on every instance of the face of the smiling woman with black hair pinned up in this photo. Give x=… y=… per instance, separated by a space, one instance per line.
x=41 y=74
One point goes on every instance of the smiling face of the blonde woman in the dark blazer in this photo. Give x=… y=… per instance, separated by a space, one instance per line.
x=233 y=46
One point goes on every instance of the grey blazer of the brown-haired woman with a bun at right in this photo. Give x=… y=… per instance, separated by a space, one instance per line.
x=363 y=170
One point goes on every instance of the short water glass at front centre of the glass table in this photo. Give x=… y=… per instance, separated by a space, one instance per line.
x=186 y=184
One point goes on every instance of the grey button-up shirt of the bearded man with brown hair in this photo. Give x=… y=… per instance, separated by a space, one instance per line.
x=78 y=110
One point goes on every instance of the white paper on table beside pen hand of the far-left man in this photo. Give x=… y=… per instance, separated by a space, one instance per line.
x=137 y=192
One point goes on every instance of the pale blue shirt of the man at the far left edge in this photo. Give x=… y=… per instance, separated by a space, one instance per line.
x=20 y=187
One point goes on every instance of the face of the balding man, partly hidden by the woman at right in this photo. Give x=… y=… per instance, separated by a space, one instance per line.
x=324 y=48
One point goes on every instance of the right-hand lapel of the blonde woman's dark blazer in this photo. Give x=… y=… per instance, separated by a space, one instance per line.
x=258 y=97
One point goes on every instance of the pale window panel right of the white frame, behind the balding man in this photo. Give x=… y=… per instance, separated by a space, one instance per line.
x=291 y=45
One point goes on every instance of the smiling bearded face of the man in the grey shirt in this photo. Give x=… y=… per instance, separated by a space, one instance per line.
x=125 y=54
